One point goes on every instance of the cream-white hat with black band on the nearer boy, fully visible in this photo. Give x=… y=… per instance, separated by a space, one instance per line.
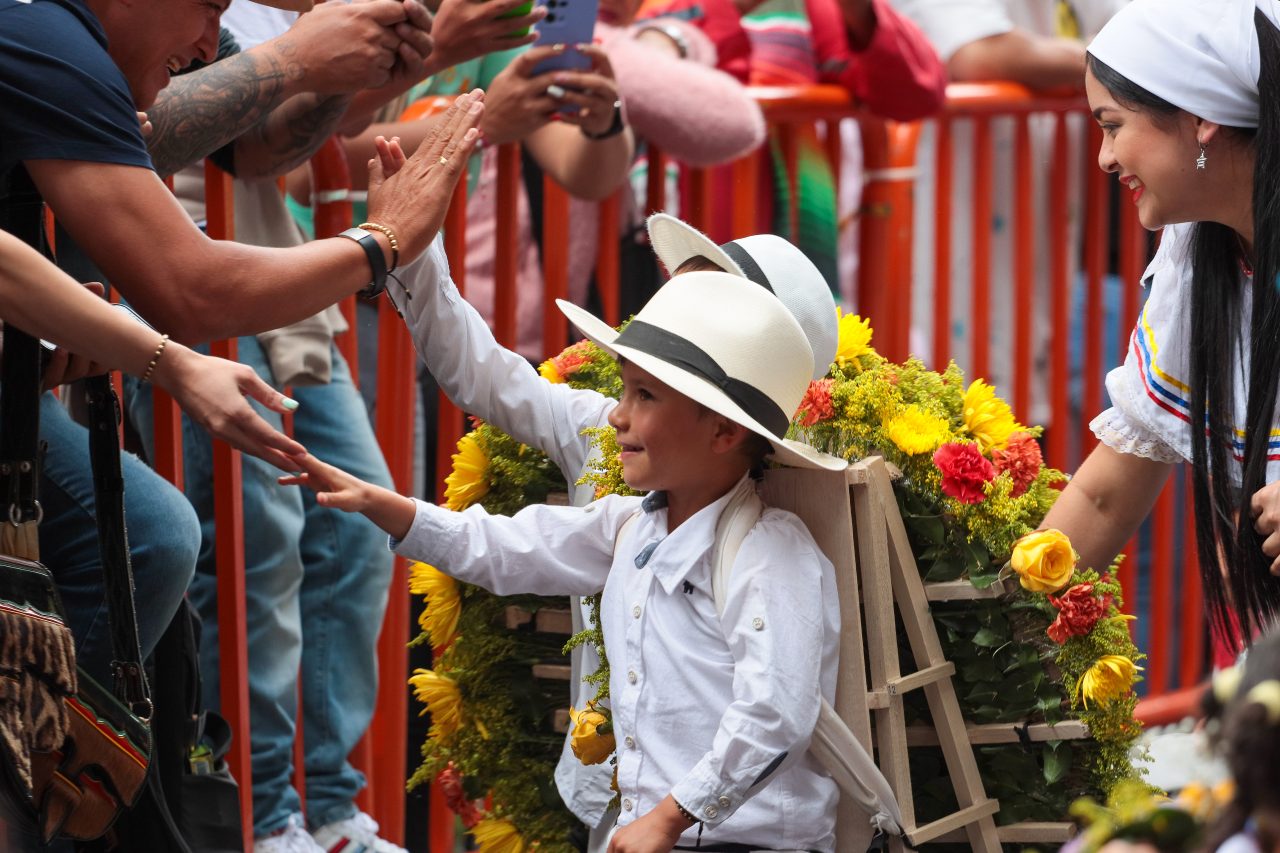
x=725 y=344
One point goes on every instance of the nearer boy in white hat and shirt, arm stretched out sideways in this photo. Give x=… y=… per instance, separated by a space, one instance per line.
x=712 y=713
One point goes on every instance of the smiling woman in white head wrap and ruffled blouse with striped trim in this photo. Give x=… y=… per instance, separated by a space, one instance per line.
x=1188 y=98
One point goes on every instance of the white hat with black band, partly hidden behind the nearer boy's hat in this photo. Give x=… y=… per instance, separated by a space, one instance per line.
x=769 y=261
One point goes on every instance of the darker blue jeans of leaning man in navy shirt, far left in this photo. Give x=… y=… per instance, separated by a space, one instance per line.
x=164 y=539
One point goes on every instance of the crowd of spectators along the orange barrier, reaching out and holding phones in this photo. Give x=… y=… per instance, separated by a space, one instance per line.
x=103 y=99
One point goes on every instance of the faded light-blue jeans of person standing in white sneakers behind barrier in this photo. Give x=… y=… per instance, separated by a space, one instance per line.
x=317 y=585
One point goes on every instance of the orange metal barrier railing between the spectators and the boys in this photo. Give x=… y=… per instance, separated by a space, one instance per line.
x=888 y=280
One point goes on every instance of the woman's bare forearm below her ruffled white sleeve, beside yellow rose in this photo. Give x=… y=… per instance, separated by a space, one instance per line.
x=1105 y=503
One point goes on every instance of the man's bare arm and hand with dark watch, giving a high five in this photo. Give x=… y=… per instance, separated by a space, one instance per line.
x=198 y=289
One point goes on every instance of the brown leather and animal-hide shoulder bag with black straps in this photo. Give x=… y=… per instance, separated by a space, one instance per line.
x=72 y=754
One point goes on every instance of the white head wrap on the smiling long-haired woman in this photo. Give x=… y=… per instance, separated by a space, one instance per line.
x=1200 y=56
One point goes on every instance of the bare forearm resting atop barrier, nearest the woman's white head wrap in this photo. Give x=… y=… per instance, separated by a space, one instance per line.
x=1039 y=62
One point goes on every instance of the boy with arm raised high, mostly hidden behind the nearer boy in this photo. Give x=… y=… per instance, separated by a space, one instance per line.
x=502 y=389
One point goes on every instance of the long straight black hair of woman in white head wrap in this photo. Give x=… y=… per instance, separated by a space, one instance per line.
x=1249 y=599
